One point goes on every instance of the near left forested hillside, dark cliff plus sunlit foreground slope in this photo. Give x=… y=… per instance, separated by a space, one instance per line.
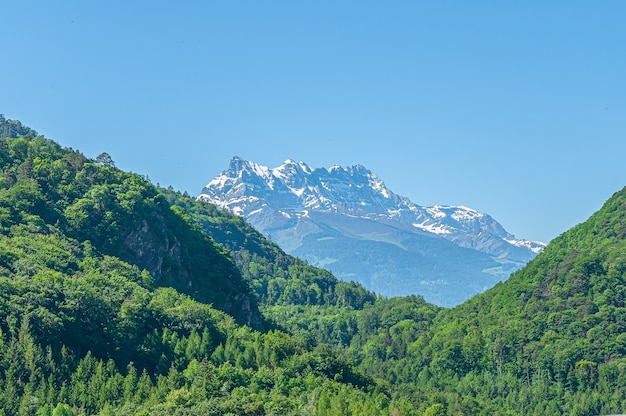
x=105 y=297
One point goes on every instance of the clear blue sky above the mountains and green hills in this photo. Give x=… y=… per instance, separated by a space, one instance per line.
x=517 y=109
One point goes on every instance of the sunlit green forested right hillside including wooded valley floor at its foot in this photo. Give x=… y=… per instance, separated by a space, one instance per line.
x=549 y=340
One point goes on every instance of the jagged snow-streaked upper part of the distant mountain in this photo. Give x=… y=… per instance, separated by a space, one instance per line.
x=293 y=189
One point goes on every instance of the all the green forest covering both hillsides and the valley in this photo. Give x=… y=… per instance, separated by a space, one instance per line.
x=119 y=297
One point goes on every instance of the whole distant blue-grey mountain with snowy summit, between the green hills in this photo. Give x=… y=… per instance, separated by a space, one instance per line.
x=346 y=220
